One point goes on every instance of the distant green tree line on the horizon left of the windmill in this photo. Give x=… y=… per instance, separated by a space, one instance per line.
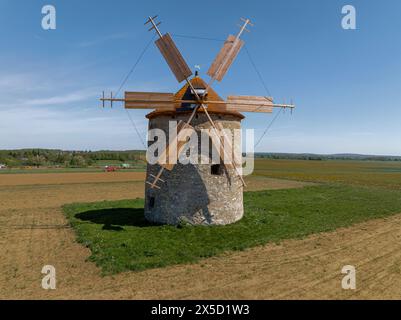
x=48 y=157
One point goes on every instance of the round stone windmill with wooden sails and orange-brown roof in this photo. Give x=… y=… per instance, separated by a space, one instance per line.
x=205 y=192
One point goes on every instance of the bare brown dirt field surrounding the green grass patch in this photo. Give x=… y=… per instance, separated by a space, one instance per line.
x=34 y=232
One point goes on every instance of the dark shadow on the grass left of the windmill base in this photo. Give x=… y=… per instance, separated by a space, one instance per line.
x=115 y=219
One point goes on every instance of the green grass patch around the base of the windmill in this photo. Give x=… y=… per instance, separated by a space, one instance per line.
x=120 y=239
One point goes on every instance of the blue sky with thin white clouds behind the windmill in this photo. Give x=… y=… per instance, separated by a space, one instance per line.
x=346 y=83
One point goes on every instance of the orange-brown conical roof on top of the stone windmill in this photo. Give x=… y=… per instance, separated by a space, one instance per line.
x=185 y=94
